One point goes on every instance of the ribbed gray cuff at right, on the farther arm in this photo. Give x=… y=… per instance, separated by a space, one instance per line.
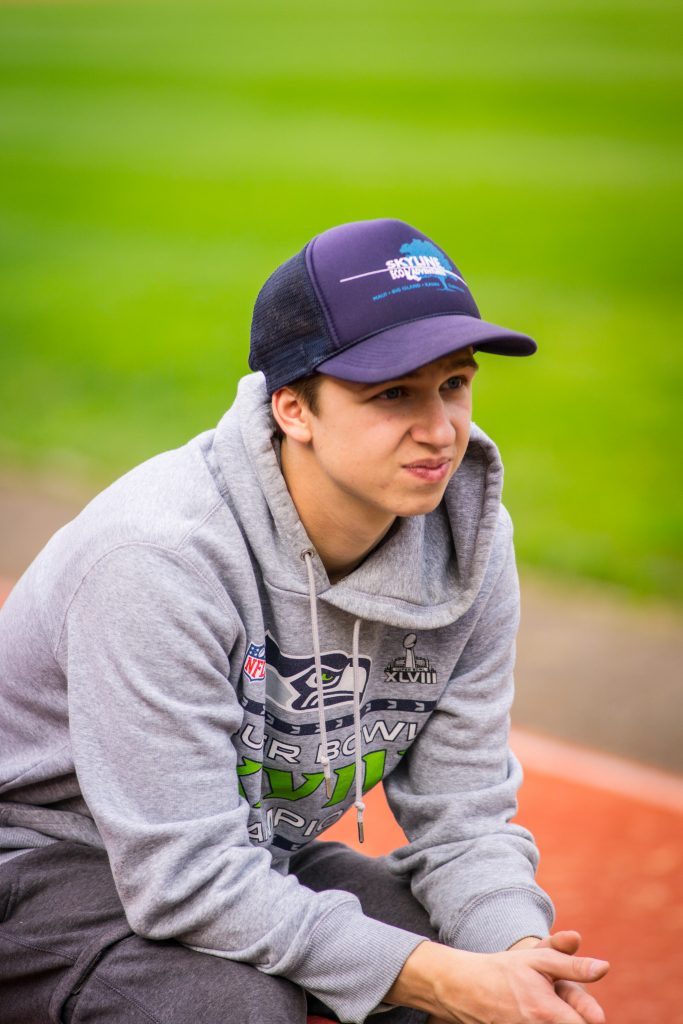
x=498 y=921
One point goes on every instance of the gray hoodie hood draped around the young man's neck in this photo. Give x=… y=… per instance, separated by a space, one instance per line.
x=450 y=547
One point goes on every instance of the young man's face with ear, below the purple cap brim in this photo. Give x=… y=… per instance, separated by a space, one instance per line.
x=392 y=448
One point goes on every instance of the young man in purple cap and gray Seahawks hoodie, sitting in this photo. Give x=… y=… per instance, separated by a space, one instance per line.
x=232 y=645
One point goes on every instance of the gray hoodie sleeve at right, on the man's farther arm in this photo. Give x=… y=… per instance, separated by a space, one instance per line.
x=455 y=794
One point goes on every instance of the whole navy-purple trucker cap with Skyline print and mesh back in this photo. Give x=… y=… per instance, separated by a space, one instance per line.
x=368 y=302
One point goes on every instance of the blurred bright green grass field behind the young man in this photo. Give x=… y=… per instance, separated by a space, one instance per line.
x=159 y=160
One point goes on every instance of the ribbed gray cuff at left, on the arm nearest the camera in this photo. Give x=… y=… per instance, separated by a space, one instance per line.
x=352 y=965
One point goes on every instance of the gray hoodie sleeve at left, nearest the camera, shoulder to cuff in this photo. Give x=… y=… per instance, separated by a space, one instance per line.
x=146 y=649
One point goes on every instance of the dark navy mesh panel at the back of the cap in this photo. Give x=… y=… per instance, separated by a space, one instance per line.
x=289 y=332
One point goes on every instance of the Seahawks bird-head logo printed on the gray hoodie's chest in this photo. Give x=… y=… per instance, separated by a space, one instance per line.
x=291 y=680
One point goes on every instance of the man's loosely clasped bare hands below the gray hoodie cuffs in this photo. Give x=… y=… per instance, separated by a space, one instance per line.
x=517 y=987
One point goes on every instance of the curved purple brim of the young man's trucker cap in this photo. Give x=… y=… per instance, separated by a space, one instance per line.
x=400 y=351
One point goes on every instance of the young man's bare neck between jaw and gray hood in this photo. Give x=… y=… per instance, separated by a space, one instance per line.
x=343 y=537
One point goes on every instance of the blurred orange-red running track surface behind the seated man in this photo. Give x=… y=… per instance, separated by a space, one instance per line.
x=611 y=834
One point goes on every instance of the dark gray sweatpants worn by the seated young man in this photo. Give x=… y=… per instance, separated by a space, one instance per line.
x=69 y=957
